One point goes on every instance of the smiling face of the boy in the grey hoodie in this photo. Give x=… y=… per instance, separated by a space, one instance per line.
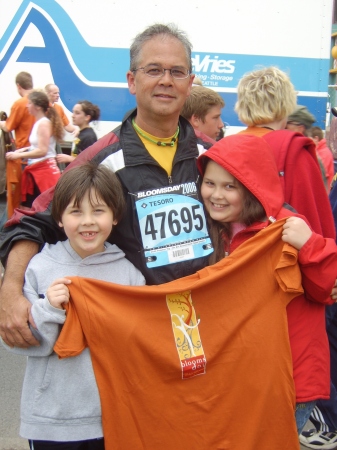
x=88 y=226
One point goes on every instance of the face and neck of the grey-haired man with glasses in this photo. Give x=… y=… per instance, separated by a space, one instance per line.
x=159 y=99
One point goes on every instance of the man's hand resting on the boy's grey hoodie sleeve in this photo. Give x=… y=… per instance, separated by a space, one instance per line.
x=15 y=317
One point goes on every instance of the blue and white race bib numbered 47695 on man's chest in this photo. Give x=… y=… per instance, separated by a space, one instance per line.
x=172 y=225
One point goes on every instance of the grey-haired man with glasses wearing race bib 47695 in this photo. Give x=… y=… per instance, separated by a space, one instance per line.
x=154 y=153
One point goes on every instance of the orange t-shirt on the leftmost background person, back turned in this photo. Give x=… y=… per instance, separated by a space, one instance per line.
x=21 y=122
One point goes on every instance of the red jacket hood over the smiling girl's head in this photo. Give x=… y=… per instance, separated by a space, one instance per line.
x=249 y=159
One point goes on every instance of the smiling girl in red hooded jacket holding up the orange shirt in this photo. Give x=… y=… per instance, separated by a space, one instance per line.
x=242 y=195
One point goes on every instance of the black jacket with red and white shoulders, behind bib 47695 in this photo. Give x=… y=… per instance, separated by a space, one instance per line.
x=124 y=153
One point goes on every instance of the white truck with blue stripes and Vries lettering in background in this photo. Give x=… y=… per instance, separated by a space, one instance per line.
x=83 y=47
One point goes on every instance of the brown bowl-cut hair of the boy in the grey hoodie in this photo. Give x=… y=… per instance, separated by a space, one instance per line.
x=75 y=183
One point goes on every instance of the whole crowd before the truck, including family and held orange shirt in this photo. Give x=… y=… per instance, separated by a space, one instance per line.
x=235 y=235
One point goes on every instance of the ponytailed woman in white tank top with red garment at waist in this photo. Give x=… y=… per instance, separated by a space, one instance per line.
x=41 y=172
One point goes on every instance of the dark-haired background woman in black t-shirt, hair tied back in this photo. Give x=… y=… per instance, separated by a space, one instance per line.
x=84 y=112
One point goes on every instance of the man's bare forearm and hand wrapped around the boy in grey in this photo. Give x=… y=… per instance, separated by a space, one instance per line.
x=14 y=307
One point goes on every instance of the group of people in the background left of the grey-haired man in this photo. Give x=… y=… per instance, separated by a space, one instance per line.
x=39 y=122
